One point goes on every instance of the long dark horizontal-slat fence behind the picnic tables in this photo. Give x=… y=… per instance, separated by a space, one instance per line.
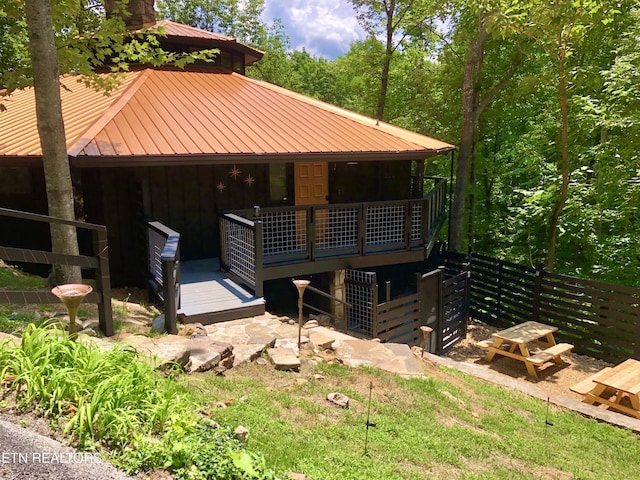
x=602 y=320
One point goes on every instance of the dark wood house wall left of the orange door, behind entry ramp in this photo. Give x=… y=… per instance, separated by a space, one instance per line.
x=186 y=199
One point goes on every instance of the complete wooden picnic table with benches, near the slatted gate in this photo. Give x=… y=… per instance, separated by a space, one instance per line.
x=513 y=343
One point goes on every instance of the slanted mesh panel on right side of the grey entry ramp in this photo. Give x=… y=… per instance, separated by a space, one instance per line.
x=239 y=251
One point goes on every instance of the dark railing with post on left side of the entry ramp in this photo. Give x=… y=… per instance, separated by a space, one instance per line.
x=163 y=247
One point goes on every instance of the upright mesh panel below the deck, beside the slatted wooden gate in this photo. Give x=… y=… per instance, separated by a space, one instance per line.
x=360 y=287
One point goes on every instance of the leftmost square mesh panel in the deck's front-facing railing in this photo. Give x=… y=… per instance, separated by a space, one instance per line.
x=284 y=232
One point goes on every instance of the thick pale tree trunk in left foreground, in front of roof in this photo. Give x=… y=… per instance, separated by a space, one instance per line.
x=57 y=174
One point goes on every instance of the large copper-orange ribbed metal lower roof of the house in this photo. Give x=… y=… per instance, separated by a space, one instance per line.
x=166 y=116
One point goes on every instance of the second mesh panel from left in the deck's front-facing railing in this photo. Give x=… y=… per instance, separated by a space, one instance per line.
x=336 y=228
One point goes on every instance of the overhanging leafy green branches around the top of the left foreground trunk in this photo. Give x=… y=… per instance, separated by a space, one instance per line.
x=87 y=42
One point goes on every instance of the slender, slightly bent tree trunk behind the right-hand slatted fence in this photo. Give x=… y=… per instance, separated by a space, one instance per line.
x=564 y=165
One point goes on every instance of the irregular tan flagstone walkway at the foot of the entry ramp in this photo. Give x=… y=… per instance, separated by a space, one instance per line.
x=229 y=344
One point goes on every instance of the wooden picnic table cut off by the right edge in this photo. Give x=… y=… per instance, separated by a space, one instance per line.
x=613 y=385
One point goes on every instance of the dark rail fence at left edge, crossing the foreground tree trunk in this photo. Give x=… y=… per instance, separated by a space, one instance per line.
x=97 y=261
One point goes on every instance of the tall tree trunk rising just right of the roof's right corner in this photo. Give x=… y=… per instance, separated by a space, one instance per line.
x=469 y=118
